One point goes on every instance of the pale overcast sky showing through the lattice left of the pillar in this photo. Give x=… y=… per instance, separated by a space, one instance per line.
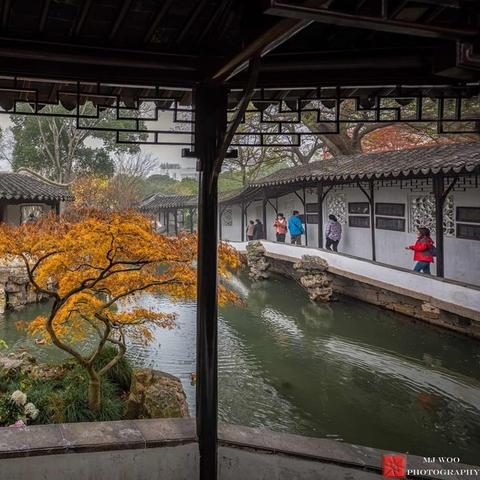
x=163 y=154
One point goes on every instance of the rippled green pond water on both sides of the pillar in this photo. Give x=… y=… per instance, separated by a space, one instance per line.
x=347 y=371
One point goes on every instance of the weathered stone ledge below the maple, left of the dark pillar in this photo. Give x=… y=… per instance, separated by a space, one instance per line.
x=95 y=437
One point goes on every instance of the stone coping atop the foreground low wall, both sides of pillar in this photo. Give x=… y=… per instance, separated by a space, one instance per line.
x=156 y=433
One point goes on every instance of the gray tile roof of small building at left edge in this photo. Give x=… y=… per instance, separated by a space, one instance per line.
x=25 y=186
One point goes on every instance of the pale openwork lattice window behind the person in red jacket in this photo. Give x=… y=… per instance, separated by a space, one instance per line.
x=422 y=214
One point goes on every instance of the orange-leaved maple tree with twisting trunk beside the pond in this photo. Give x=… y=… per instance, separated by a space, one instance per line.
x=93 y=267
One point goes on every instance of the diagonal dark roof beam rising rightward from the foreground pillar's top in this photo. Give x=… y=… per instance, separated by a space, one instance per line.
x=260 y=46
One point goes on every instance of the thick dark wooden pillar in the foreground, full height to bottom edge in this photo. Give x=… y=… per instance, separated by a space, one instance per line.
x=210 y=128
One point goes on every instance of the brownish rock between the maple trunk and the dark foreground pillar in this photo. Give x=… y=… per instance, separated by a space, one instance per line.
x=155 y=394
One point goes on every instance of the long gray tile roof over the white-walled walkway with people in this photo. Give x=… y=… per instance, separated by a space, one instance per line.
x=446 y=158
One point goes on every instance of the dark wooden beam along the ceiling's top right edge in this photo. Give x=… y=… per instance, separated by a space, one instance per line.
x=324 y=15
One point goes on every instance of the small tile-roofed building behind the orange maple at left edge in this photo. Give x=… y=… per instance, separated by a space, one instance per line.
x=25 y=195
